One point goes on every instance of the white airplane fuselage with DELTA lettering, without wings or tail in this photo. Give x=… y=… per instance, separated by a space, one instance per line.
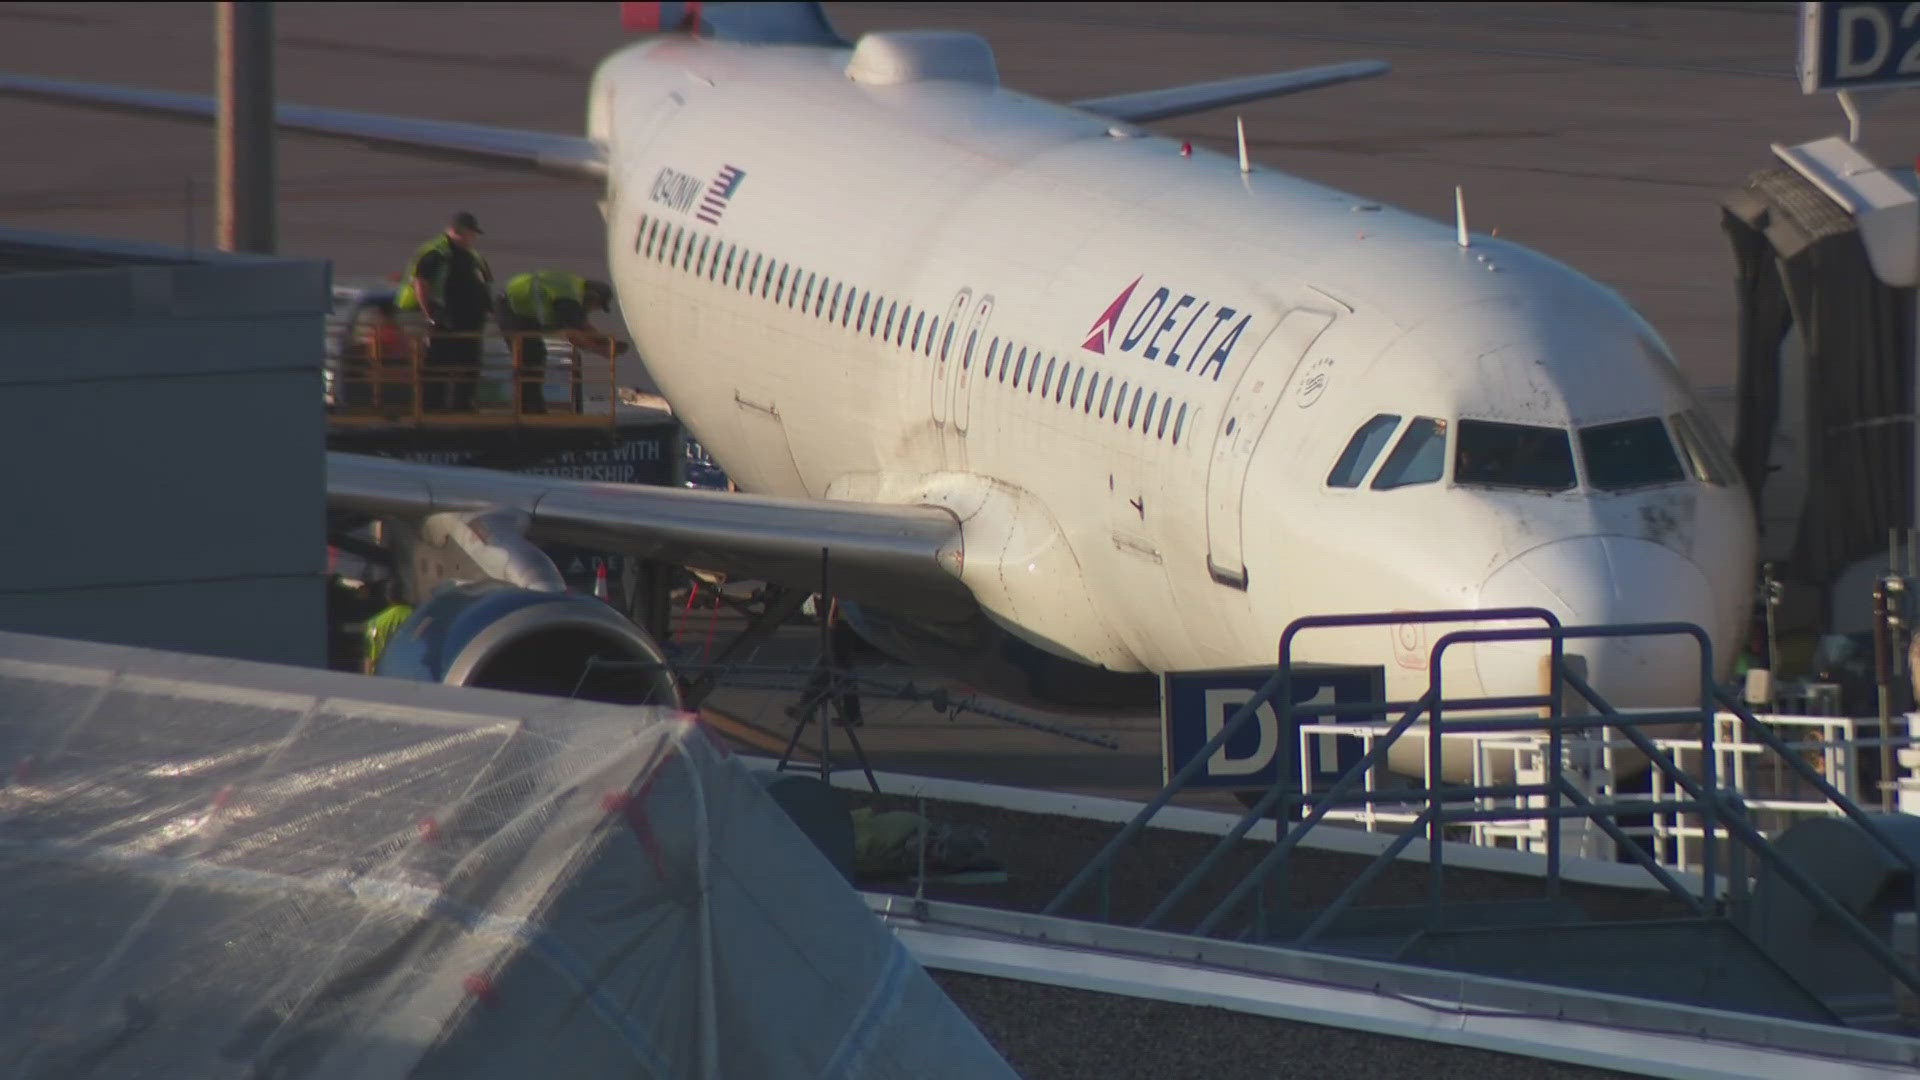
x=1145 y=487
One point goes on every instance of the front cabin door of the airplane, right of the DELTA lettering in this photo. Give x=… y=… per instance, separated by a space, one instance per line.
x=1241 y=428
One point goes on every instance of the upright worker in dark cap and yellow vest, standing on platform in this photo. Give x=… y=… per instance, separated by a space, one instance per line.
x=452 y=287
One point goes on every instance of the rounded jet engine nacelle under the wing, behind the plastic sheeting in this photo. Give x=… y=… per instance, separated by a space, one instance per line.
x=502 y=637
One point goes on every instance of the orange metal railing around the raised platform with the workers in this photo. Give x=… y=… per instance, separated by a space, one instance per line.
x=400 y=381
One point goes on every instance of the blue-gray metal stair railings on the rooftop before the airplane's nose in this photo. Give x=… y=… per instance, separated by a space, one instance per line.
x=1552 y=800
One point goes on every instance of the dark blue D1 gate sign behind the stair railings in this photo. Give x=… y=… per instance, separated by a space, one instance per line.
x=1197 y=704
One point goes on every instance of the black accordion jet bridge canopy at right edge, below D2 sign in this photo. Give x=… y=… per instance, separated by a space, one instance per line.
x=1827 y=251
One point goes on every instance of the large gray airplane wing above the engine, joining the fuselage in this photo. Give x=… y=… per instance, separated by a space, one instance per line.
x=898 y=558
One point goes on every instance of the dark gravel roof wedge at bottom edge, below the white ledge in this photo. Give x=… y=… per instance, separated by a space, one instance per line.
x=1053 y=1033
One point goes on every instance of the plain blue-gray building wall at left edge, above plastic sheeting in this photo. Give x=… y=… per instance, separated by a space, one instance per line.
x=162 y=454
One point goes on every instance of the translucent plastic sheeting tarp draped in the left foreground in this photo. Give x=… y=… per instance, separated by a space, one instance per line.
x=228 y=870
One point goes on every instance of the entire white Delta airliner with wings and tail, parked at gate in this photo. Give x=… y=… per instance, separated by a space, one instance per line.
x=1068 y=405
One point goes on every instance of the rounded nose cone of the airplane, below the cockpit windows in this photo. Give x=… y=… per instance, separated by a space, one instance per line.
x=1604 y=579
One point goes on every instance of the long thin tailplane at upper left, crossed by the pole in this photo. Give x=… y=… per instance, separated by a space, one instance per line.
x=535 y=151
